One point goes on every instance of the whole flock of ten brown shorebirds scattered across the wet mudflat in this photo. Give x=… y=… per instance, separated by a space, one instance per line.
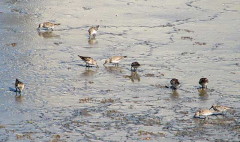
x=203 y=113
